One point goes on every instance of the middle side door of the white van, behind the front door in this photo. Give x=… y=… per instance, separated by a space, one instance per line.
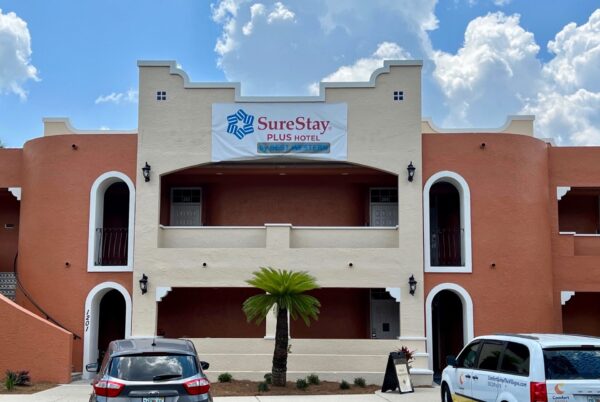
x=486 y=380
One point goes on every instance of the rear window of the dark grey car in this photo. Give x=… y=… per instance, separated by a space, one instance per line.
x=152 y=367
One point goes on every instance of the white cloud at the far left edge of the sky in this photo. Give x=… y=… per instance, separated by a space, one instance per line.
x=15 y=55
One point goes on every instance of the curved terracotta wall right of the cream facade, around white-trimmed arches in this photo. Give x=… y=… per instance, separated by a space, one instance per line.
x=508 y=181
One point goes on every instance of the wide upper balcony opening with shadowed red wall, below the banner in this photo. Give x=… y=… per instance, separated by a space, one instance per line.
x=259 y=193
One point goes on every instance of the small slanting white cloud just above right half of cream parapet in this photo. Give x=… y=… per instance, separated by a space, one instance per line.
x=363 y=68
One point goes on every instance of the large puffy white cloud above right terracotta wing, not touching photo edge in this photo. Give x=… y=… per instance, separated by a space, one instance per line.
x=496 y=69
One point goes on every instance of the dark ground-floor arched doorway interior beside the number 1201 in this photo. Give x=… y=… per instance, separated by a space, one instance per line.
x=111 y=320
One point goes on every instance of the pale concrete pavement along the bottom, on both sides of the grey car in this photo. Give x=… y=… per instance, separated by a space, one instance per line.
x=81 y=393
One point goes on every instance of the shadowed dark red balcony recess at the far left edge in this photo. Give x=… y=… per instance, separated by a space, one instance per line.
x=9 y=237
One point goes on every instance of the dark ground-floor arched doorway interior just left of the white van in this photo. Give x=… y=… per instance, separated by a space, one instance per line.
x=447 y=328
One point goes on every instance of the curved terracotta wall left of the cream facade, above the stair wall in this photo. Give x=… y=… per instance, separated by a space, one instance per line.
x=56 y=182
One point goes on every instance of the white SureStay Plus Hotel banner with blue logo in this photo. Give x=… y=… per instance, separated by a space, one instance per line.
x=242 y=131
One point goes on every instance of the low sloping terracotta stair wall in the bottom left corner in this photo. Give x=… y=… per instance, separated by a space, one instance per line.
x=34 y=344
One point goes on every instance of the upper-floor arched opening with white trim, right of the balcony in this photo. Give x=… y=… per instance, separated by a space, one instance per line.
x=447 y=223
